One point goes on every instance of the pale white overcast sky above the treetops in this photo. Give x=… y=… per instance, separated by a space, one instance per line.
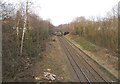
x=64 y=11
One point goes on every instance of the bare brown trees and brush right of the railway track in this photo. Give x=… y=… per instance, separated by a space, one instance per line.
x=102 y=32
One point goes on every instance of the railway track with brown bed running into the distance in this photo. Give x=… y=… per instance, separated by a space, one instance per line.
x=83 y=67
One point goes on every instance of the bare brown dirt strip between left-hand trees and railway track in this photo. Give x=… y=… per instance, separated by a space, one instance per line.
x=52 y=61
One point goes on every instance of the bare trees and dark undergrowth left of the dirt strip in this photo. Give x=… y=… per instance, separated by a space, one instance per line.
x=36 y=34
